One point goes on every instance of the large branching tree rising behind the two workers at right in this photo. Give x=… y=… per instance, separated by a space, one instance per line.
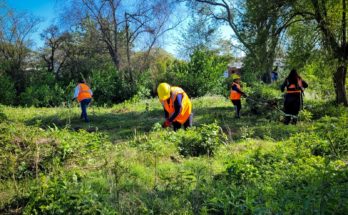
x=256 y=24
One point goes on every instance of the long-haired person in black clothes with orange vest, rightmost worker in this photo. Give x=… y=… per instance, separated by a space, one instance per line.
x=294 y=86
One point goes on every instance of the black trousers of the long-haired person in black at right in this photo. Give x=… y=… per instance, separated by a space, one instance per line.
x=292 y=106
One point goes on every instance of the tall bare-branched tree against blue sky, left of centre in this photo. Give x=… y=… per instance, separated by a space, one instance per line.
x=121 y=25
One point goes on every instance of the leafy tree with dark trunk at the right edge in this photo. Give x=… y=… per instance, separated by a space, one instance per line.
x=329 y=19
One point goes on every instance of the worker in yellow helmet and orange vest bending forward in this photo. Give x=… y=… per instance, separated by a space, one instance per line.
x=177 y=106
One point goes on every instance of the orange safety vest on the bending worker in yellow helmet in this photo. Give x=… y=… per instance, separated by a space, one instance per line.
x=186 y=106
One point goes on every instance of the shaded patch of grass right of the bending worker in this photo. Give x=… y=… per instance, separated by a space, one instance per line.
x=249 y=125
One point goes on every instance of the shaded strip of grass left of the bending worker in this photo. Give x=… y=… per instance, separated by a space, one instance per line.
x=118 y=126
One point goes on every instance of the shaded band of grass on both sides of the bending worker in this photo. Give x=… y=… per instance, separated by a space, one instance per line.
x=120 y=126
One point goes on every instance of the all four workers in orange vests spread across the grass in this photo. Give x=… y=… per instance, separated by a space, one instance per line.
x=178 y=107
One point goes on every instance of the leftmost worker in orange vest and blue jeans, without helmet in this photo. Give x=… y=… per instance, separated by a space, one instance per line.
x=83 y=94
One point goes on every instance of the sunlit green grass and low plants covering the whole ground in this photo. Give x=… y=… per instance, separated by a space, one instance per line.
x=122 y=162
